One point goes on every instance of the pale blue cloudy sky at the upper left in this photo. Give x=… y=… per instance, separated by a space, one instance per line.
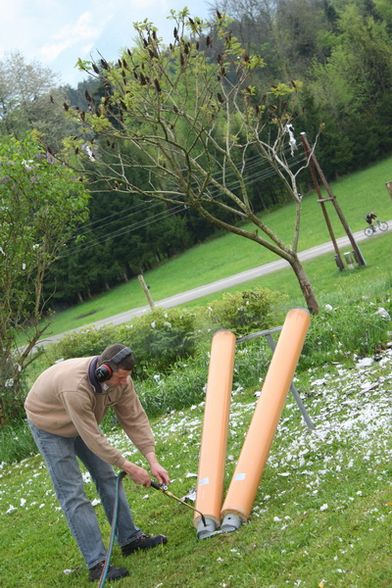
x=55 y=33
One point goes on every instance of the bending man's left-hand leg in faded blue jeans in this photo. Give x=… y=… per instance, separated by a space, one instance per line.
x=59 y=454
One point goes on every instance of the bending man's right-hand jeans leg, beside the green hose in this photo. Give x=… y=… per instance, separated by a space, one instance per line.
x=105 y=480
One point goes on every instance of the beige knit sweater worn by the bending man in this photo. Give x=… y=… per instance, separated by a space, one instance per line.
x=62 y=401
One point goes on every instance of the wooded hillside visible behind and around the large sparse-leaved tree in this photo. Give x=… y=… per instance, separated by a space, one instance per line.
x=338 y=52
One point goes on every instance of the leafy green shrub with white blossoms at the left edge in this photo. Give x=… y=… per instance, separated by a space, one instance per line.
x=41 y=203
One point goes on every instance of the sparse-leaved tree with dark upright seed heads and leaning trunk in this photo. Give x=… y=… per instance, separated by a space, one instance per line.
x=190 y=123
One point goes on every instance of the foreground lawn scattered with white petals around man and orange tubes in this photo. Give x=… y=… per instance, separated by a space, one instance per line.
x=321 y=517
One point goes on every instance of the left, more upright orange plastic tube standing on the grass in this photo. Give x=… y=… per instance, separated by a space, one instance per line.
x=210 y=481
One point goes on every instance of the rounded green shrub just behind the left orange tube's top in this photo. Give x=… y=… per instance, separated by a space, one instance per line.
x=243 y=312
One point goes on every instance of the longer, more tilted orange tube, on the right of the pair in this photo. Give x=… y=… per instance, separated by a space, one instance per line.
x=258 y=441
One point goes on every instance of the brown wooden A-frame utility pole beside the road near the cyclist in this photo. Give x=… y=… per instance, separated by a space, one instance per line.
x=317 y=178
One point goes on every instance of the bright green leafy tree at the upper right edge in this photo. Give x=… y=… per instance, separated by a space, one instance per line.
x=351 y=92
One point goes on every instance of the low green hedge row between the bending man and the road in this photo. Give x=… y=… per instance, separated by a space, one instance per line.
x=162 y=337
